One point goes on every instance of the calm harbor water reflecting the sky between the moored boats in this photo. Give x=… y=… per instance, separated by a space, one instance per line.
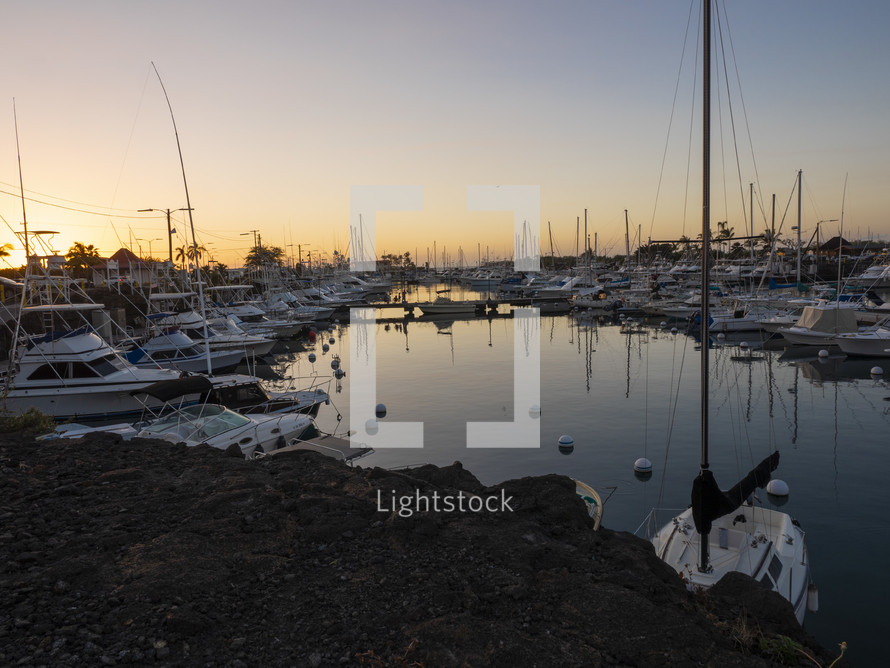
x=626 y=395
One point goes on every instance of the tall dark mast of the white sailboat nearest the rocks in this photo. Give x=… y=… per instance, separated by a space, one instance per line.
x=704 y=563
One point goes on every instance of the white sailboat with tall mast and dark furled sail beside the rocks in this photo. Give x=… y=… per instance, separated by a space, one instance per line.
x=722 y=532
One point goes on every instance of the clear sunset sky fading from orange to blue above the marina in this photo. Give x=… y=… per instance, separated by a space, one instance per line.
x=282 y=108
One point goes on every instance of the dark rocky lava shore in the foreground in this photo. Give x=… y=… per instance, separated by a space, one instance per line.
x=149 y=553
